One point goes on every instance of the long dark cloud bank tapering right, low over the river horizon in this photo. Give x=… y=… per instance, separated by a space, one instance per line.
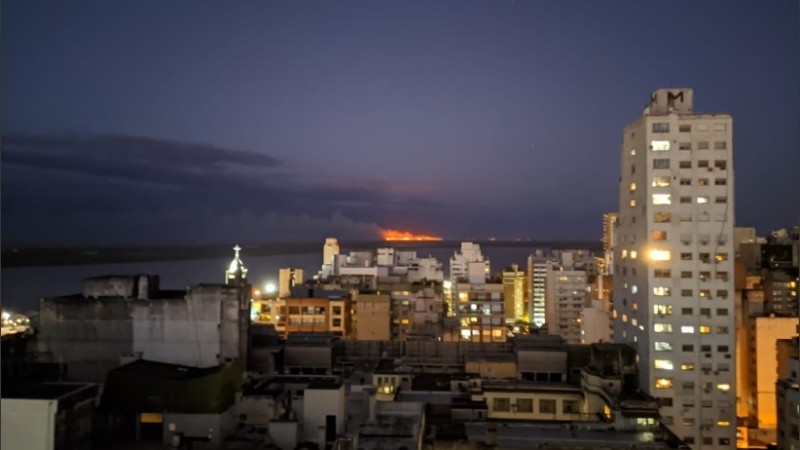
x=120 y=189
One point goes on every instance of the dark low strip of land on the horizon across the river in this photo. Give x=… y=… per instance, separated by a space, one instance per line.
x=33 y=256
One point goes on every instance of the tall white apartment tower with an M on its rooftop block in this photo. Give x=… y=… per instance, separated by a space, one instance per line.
x=673 y=274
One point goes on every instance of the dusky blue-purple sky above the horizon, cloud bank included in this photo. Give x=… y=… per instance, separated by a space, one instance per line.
x=151 y=121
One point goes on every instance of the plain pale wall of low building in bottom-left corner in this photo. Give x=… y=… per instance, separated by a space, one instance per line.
x=28 y=424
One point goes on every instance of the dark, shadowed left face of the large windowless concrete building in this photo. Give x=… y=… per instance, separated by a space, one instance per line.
x=89 y=335
